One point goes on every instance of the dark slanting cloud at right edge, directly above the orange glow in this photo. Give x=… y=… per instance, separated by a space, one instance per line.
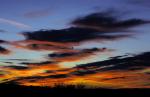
x=137 y=62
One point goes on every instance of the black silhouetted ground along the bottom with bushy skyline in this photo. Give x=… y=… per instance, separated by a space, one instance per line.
x=13 y=90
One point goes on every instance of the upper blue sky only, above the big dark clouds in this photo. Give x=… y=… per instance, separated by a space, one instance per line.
x=59 y=13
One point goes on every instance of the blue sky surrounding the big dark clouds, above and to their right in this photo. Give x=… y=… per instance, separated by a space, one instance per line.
x=17 y=16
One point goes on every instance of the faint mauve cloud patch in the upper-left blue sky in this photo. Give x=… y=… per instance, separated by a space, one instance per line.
x=37 y=13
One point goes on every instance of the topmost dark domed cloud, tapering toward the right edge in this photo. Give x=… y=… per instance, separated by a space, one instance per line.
x=107 y=21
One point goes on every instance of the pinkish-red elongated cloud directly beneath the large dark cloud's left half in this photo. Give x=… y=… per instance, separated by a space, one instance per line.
x=44 y=46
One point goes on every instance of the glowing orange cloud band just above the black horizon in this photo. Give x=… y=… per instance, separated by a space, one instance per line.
x=114 y=79
